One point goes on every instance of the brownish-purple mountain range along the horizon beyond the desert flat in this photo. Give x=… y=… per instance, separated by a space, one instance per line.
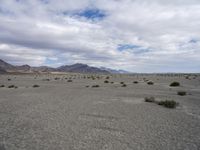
x=78 y=68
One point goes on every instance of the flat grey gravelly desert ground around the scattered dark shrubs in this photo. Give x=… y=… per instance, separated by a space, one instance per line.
x=65 y=112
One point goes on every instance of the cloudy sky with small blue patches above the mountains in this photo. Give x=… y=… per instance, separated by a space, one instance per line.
x=133 y=35
